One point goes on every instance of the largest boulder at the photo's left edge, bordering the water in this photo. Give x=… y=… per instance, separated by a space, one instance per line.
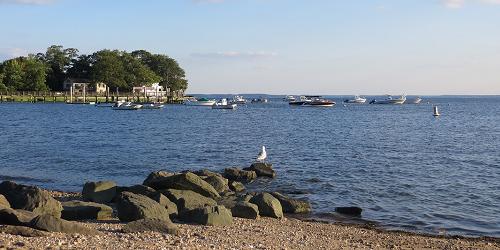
x=30 y=198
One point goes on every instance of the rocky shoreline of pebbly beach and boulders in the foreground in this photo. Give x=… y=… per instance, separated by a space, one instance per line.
x=192 y=209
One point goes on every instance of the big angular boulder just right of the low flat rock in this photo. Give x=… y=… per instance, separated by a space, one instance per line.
x=132 y=207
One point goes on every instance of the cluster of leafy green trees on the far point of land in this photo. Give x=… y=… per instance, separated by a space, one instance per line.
x=117 y=69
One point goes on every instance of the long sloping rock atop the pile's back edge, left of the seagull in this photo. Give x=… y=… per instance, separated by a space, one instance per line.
x=185 y=181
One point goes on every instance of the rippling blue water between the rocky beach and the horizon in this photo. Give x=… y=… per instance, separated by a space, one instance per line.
x=405 y=168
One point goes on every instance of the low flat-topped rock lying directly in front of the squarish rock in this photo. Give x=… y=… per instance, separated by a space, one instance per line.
x=81 y=210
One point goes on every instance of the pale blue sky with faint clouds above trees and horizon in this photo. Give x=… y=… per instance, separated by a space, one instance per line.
x=329 y=47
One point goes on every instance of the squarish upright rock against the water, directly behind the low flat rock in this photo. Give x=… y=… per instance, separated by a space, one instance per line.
x=100 y=191
